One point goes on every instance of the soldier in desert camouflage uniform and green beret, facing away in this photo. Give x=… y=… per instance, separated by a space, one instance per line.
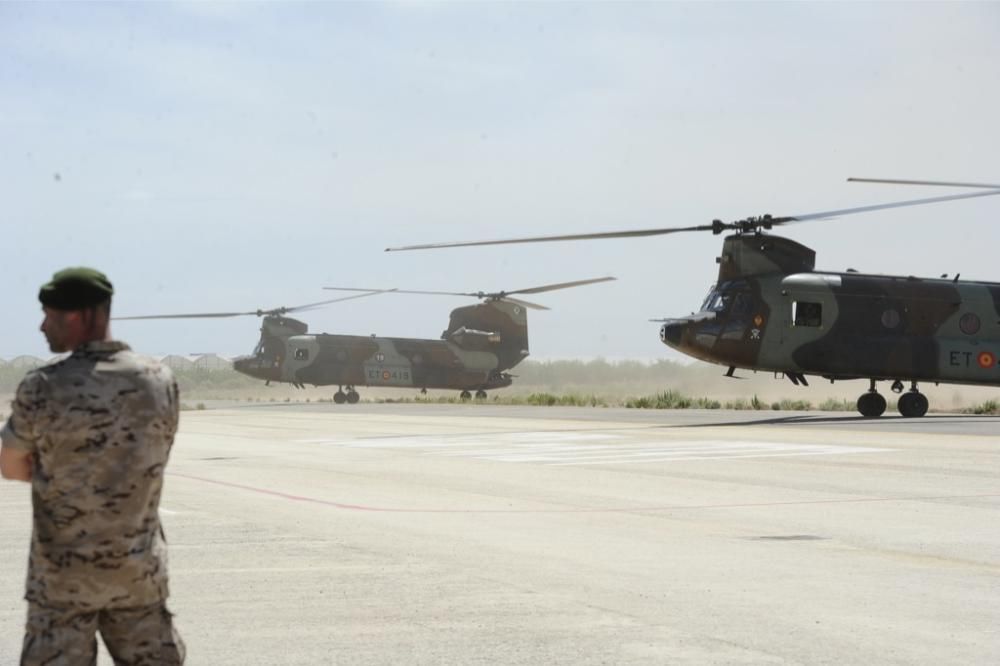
x=92 y=434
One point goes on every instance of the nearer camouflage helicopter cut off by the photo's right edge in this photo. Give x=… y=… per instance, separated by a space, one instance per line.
x=771 y=311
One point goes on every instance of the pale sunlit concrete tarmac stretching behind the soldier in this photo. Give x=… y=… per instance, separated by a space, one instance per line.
x=450 y=534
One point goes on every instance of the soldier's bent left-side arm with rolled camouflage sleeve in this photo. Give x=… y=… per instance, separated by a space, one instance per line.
x=19 y=435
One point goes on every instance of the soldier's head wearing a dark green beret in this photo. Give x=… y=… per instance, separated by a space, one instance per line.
x=77 y=306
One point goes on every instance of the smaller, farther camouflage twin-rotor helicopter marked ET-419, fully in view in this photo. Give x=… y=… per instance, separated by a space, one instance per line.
x=481 y=343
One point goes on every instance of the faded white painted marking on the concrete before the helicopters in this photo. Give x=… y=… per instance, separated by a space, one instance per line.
x=588 y=448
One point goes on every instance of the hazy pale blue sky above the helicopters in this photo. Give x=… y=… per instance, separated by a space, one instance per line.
x=228 y=156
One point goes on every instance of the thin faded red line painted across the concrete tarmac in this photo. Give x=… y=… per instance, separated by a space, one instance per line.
x=633 y=509
